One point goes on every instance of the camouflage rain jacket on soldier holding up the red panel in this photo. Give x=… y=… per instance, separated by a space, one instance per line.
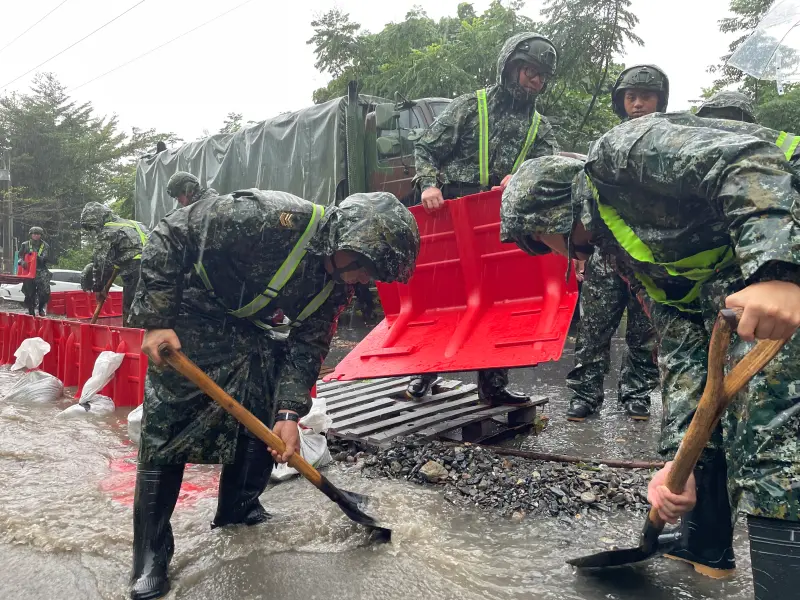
x=447 y=153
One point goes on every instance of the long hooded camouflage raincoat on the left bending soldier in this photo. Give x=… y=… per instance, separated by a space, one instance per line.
x=241 y=240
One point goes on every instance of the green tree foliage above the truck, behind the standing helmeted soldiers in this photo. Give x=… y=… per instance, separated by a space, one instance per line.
x=420 y=57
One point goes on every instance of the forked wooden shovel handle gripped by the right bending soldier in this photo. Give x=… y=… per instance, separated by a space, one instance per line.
x=717 y=396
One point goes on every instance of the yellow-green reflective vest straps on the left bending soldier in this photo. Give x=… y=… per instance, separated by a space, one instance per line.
x=279 y=280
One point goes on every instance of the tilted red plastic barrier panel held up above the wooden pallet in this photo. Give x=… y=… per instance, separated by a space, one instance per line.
x=472 y=303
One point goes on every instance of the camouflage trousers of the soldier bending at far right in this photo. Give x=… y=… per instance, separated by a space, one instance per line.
x=760 y=431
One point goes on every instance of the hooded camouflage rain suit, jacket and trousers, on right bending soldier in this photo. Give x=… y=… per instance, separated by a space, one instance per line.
x=684 y=189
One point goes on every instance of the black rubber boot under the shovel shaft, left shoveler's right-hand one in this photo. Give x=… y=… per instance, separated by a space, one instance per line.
x=242 y=483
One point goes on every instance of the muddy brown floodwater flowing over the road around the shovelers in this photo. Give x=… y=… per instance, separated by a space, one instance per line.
x=66 y=488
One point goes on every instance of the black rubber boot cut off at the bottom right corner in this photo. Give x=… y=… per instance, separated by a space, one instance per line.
x=775 y=556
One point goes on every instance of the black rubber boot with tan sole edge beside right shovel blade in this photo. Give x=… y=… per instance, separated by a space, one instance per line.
x=707 y=531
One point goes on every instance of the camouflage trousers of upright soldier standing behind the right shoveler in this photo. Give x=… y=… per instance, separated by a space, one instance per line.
x=604 y=298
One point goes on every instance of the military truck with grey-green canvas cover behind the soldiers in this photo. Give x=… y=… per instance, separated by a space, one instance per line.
x=323 y=153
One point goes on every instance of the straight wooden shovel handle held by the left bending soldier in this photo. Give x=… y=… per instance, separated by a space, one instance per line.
x=178 y=361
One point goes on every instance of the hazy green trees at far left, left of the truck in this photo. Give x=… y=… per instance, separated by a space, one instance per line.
x=62 y=156
